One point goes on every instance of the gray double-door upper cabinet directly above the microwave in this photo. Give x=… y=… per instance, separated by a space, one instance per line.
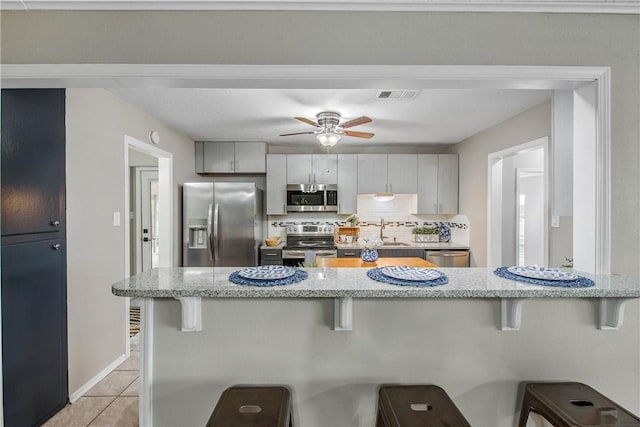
x=308 y=168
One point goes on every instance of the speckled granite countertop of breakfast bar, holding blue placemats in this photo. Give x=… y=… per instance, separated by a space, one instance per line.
x=353 y=282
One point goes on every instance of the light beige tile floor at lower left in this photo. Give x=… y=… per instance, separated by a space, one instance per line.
x=111 y=402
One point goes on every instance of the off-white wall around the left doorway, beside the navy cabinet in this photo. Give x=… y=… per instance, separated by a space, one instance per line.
x=96 y=124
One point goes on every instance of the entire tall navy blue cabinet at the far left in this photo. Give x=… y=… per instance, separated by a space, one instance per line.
x=34 y=298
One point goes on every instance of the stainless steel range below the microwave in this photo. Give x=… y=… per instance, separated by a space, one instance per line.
x=306 y=242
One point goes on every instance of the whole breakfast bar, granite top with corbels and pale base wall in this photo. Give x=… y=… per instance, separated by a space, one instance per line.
x=336 y=336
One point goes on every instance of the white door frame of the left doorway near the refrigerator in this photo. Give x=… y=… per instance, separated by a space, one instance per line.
x=165 y=211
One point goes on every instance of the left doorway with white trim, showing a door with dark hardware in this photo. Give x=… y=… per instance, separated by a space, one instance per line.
x=149 y=206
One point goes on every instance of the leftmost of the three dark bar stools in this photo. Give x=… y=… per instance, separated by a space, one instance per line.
x=254 y=406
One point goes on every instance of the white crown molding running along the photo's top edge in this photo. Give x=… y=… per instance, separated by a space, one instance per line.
x=546 y=6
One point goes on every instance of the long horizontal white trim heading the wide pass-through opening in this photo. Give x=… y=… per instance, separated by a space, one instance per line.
x=297 y=76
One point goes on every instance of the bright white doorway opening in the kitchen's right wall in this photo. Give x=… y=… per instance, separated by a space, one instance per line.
x=518 y=205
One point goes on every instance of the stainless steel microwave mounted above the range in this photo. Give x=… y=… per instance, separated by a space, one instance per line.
x=312 y=198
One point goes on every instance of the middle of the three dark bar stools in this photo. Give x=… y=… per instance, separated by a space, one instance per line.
x=417 y=406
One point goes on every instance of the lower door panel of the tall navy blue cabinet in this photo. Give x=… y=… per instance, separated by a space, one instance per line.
x=34 y=331
